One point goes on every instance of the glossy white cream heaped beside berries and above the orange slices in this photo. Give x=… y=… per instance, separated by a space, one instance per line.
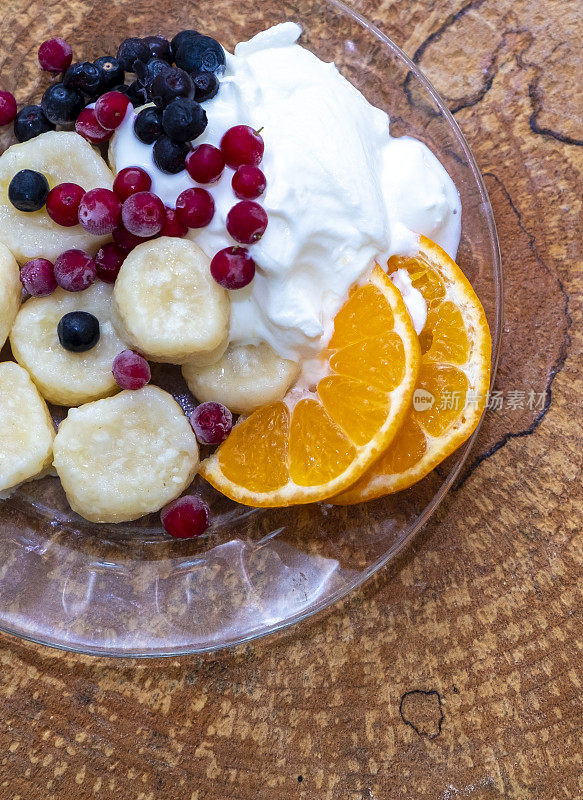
x=341 y=192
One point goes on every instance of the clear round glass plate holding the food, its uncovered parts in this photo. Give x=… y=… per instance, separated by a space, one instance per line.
x=129 y=590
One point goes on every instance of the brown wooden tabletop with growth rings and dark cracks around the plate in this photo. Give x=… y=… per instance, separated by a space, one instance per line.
x=458 y=672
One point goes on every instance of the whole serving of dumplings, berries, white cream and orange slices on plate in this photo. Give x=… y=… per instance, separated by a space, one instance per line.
x=248 y=218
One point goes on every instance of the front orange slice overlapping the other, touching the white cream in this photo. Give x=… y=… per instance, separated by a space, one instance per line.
x=312 y=445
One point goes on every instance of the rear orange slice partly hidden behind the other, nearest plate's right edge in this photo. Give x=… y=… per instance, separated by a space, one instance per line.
x=453 y=380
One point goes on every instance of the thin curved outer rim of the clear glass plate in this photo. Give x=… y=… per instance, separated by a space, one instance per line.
x=399 y=546
